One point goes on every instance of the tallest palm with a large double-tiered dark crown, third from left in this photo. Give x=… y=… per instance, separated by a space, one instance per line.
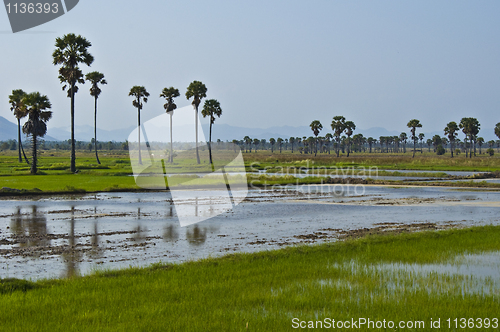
x=70 y=51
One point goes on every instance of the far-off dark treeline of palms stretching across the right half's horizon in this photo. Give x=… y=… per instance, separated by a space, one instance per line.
x=343 y=140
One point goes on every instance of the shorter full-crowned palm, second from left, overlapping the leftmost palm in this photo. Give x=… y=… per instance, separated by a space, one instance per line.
x=35 y=106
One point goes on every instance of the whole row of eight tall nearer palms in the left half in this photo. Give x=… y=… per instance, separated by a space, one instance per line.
x=72 y=51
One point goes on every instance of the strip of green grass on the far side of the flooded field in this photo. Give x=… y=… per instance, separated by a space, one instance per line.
x=114 y=172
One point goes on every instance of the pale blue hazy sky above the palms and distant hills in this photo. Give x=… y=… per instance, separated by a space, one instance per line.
x=271 y=63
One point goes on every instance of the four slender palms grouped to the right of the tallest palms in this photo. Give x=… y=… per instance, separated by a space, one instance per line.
x=196 y=90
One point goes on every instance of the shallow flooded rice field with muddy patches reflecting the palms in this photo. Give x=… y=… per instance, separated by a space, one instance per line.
x=52 y=237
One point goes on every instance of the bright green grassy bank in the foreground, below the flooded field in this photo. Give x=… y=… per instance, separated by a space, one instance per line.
x=262 y=291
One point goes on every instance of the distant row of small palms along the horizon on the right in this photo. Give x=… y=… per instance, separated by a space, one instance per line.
x=469 y=126
